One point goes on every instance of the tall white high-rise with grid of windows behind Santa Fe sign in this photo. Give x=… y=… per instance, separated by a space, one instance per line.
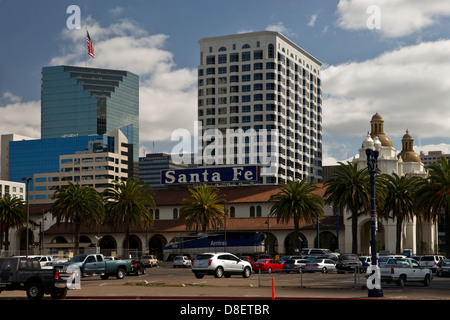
x=264 y=81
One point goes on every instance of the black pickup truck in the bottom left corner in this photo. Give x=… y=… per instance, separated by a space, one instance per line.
x=18 y=273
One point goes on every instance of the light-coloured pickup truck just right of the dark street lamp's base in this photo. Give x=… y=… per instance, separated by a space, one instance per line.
x=402 y=270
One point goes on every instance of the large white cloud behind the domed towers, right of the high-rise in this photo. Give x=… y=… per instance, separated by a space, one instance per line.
x=409 y=87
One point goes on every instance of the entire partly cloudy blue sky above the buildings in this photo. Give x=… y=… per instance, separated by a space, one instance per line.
x=390 y=57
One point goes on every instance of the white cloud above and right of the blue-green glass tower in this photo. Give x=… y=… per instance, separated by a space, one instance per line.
x=168 y=94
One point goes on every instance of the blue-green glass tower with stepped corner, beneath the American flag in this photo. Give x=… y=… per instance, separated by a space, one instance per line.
x=77 y=101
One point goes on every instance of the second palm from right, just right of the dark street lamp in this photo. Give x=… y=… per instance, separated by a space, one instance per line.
x=400 y=201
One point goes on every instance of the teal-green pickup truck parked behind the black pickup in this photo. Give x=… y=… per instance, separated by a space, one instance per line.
x=90 y=264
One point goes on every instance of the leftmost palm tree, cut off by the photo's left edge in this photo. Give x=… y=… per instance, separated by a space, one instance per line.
x=12 y=214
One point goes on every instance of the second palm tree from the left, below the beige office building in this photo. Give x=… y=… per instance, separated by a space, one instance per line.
x=77 y=204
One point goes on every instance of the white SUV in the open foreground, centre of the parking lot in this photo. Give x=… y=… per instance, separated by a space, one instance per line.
x=220 y=264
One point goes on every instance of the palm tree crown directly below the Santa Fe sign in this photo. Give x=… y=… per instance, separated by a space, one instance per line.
x=204 y=208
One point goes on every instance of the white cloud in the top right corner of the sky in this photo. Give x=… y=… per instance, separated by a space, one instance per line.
x=398 y=17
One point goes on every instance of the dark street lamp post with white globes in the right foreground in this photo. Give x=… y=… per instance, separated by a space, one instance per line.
x=373 y=147
